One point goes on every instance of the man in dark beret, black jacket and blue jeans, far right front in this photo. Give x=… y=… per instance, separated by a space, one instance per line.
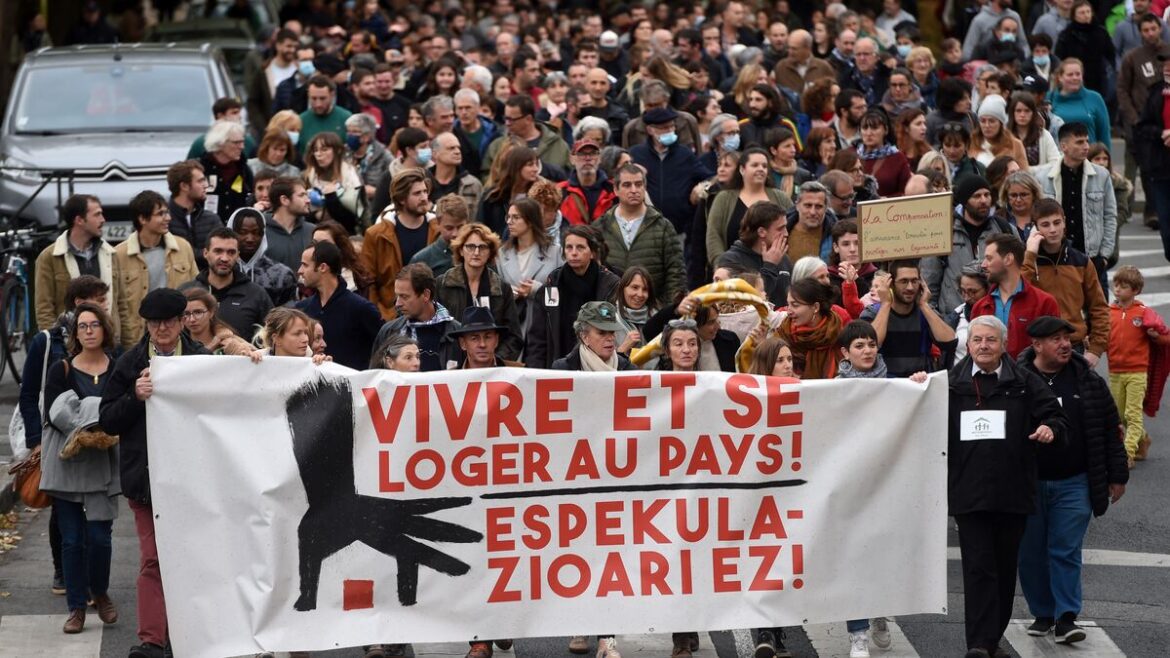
x=1077 y=481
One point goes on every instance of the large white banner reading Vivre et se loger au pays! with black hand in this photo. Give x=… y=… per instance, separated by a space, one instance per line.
x=309 y=509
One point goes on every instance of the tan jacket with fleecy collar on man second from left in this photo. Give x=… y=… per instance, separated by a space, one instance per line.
x=181 y=269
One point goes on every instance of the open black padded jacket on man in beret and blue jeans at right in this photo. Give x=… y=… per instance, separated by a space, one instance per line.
x=1104 y=447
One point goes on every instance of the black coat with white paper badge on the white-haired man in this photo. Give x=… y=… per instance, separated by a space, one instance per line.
x=999 y=476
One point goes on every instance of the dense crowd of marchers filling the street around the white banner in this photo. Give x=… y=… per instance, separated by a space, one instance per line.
x=500 y=186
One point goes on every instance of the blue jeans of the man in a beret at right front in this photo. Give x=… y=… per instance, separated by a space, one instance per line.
x=1050 y=567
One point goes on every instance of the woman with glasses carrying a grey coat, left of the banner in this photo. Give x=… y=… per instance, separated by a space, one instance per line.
x=81 y=465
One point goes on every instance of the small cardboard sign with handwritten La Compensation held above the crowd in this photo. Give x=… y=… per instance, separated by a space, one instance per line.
x=906 y=228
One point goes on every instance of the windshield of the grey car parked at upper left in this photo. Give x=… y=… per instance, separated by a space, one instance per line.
x=116 y=97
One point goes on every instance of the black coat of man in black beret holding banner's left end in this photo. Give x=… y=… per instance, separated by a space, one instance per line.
x=125 y=415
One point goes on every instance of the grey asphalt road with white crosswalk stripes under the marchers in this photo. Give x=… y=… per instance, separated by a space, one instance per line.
x=1127 y=578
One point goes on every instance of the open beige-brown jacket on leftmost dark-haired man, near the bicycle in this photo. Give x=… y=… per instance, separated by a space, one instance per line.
x=57 y=268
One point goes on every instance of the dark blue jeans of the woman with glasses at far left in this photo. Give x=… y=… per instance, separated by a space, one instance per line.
x=86 y=553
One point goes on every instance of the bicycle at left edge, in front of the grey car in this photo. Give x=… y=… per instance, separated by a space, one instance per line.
x=17 y=323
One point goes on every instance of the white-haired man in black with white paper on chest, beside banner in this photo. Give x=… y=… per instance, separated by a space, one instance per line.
x=1000 y=413
